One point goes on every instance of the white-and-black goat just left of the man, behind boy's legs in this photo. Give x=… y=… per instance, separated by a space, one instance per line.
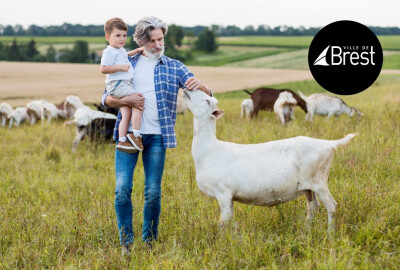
x=89 y=121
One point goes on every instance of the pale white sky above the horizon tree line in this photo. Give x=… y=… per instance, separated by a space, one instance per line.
x=203 y=12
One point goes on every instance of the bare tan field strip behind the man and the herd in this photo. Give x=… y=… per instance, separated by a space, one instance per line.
x=23 y=82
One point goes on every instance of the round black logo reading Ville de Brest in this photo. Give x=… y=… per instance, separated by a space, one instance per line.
x=345 y=57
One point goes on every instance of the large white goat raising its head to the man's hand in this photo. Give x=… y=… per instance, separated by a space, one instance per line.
x=263 y=174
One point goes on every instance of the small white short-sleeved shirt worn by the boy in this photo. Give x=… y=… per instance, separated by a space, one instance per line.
x=112 y=56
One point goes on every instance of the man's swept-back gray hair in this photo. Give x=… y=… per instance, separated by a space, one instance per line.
x=145 y=26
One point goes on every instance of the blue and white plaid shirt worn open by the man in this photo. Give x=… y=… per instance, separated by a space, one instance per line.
x=169 y=76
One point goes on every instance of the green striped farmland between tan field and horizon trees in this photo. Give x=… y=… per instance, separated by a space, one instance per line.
x=243 y=51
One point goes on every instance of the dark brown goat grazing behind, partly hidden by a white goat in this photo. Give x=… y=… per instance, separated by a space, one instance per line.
x=264 y=99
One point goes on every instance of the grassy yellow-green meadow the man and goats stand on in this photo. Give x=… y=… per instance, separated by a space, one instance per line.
x=56 y=207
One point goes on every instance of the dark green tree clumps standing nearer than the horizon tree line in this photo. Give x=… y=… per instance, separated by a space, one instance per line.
x=80 y=53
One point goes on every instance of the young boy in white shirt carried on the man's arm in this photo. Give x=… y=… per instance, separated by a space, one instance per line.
x=119 y=74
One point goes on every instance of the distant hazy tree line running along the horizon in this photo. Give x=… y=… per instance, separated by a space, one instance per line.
x=67 y=29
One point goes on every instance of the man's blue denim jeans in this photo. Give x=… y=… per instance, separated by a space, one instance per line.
x=153 y=157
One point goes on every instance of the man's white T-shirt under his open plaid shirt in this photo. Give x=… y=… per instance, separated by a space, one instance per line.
x=143 y=82
